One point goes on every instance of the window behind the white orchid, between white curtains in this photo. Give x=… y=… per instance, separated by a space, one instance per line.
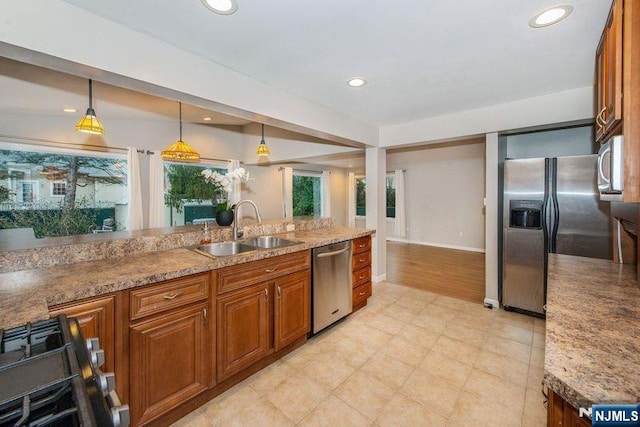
x=187 y=196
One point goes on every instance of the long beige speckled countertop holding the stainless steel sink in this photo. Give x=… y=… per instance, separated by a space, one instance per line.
x=26 y=295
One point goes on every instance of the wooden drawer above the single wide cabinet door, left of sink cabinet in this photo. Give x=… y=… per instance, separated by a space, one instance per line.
x=168 y=295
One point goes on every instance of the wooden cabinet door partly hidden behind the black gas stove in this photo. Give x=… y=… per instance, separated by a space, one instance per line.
x=96 y=318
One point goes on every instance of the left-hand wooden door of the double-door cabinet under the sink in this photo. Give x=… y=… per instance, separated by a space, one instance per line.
x=244 y=328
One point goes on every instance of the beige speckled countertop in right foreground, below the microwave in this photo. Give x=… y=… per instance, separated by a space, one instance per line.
x=592 y=346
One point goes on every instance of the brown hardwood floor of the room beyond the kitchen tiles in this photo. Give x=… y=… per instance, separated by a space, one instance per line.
x=450 y=272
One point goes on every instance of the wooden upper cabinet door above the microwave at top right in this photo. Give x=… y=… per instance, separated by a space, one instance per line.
x=609 y=74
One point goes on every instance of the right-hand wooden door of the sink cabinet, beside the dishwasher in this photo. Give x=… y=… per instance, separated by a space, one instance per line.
x=292 y=318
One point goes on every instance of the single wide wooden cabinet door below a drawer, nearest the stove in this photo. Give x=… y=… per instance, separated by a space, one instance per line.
x=169 y=361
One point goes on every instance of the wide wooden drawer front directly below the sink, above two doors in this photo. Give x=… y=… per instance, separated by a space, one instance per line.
x=242 y=275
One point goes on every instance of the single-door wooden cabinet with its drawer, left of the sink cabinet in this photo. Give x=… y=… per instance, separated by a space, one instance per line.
x=170 y=345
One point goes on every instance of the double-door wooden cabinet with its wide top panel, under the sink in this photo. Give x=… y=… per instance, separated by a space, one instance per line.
x=271 y=310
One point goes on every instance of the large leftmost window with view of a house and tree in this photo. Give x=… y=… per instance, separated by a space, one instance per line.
x=62 y=194
